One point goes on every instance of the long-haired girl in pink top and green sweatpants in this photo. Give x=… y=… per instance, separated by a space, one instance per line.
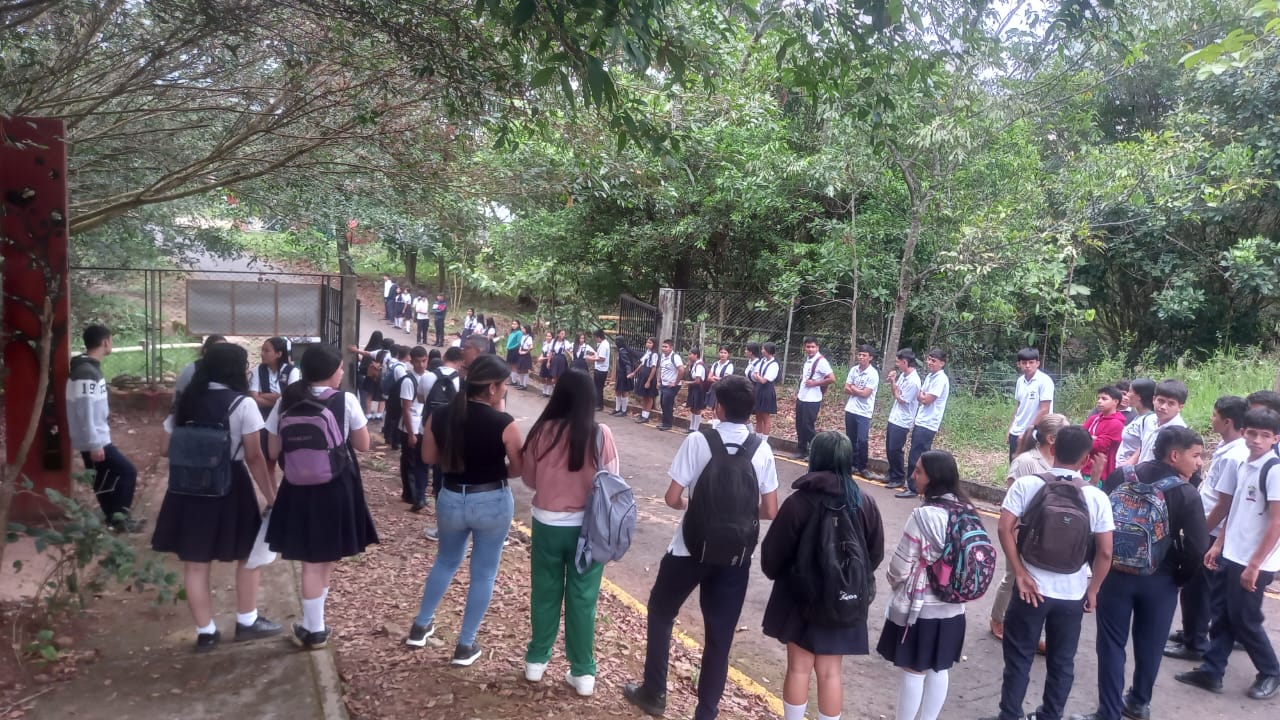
x=561 y=455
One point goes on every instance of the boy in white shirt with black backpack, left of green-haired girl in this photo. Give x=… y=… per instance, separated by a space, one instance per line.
x=723 y=587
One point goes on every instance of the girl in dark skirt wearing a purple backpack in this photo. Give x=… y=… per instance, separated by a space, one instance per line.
x=321 y=516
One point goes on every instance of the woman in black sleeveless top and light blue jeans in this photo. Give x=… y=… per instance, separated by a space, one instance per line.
x=478 y=446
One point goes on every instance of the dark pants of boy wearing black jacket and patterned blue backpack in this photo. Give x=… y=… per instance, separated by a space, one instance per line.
x=1149 y=604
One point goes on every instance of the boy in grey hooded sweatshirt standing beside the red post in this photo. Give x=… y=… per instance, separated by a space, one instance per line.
x=88 y=412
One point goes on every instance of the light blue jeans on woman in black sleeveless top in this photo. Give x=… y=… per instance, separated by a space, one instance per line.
x=486 y=520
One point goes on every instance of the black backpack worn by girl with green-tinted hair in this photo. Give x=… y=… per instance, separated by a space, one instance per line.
x=833 y=578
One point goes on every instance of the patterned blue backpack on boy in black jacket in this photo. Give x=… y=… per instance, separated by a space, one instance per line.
x=1142 y=536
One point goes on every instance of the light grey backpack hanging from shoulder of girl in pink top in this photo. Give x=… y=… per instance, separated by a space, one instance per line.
x=611 y=517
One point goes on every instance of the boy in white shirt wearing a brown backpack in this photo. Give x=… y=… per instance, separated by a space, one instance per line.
x=1044 y=599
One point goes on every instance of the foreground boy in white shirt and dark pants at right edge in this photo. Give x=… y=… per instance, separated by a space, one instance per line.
x=1249 y=553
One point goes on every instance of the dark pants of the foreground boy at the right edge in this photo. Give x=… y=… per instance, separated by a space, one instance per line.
x=1240 y=619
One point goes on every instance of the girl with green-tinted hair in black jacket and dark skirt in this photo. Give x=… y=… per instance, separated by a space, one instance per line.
x=815 y=649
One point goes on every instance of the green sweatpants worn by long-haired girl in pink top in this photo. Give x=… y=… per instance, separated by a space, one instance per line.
x=556 y=582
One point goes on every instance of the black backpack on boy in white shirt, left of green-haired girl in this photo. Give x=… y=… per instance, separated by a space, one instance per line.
x=723 y=523
